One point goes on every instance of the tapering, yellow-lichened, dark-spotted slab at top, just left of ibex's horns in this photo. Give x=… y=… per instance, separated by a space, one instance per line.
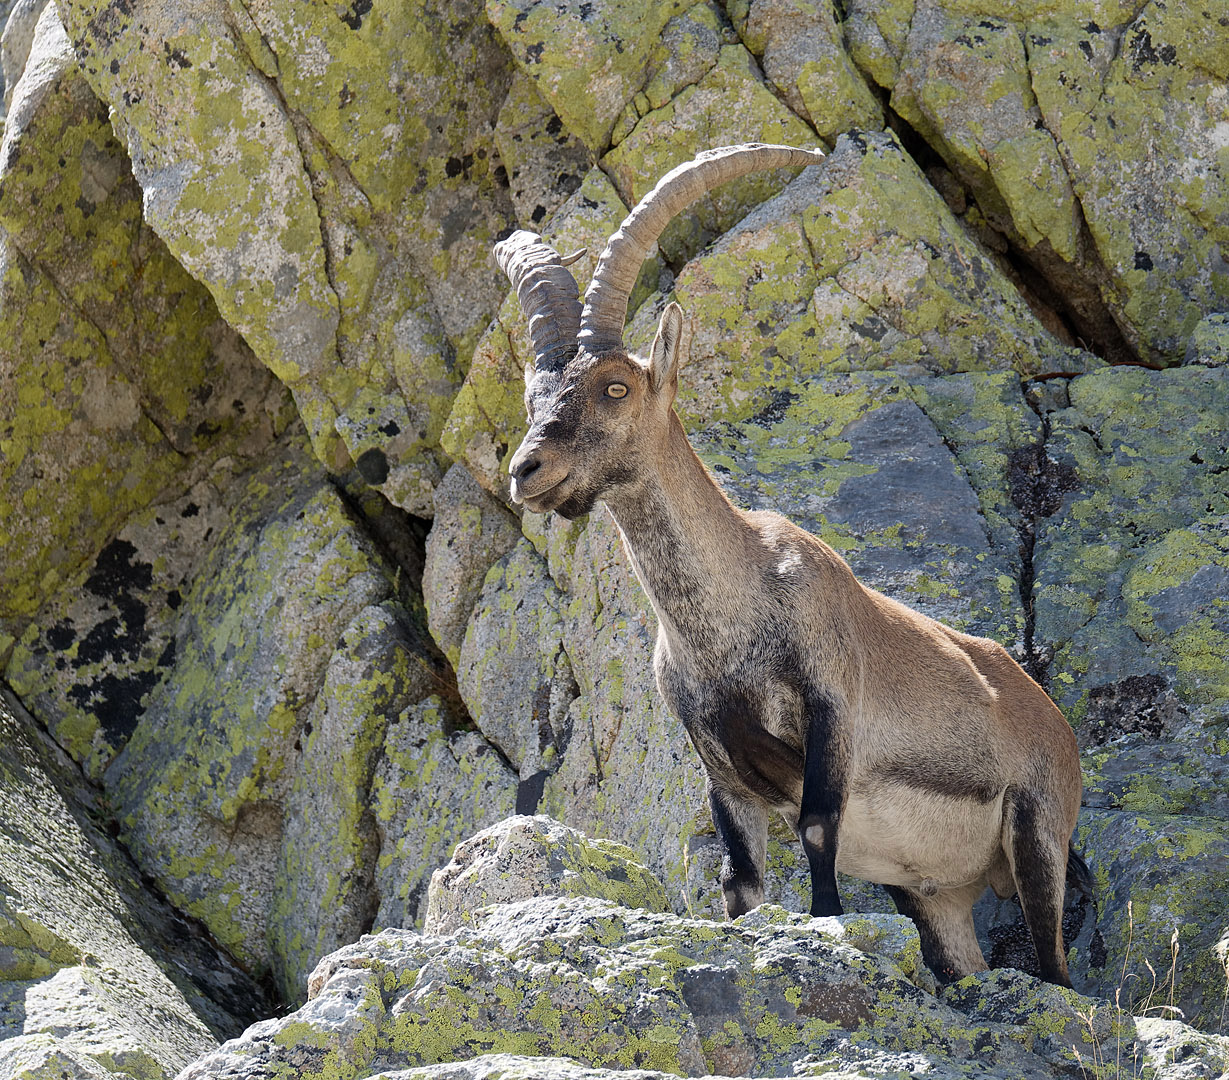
x=406 y=234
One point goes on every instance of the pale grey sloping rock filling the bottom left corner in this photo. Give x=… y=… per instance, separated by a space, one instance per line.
x=95 y=974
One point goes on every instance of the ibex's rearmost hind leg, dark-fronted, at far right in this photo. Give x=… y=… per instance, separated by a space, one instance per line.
x=1037 y=842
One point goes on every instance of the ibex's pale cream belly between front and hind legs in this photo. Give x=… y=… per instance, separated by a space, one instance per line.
x=900 y=836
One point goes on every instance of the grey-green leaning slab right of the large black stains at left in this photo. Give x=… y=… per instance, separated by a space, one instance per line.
x=201 y=788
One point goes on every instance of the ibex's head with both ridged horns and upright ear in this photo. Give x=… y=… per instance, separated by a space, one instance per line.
x=594 y=410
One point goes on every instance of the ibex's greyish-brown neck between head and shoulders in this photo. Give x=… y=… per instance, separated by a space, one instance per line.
x=691 y=549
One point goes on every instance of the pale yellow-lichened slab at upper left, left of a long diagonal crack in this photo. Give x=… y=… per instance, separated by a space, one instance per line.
x=257 y=248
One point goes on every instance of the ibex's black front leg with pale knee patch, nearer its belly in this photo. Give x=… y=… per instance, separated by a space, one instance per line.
x=823 y=798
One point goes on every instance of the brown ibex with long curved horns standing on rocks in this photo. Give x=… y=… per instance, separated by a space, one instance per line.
x=900 y=751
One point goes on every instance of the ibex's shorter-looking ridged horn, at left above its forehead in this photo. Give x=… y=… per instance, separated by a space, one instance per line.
x=549 y=295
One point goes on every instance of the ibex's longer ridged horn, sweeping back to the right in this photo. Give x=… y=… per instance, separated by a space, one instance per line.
x=602 y=324
